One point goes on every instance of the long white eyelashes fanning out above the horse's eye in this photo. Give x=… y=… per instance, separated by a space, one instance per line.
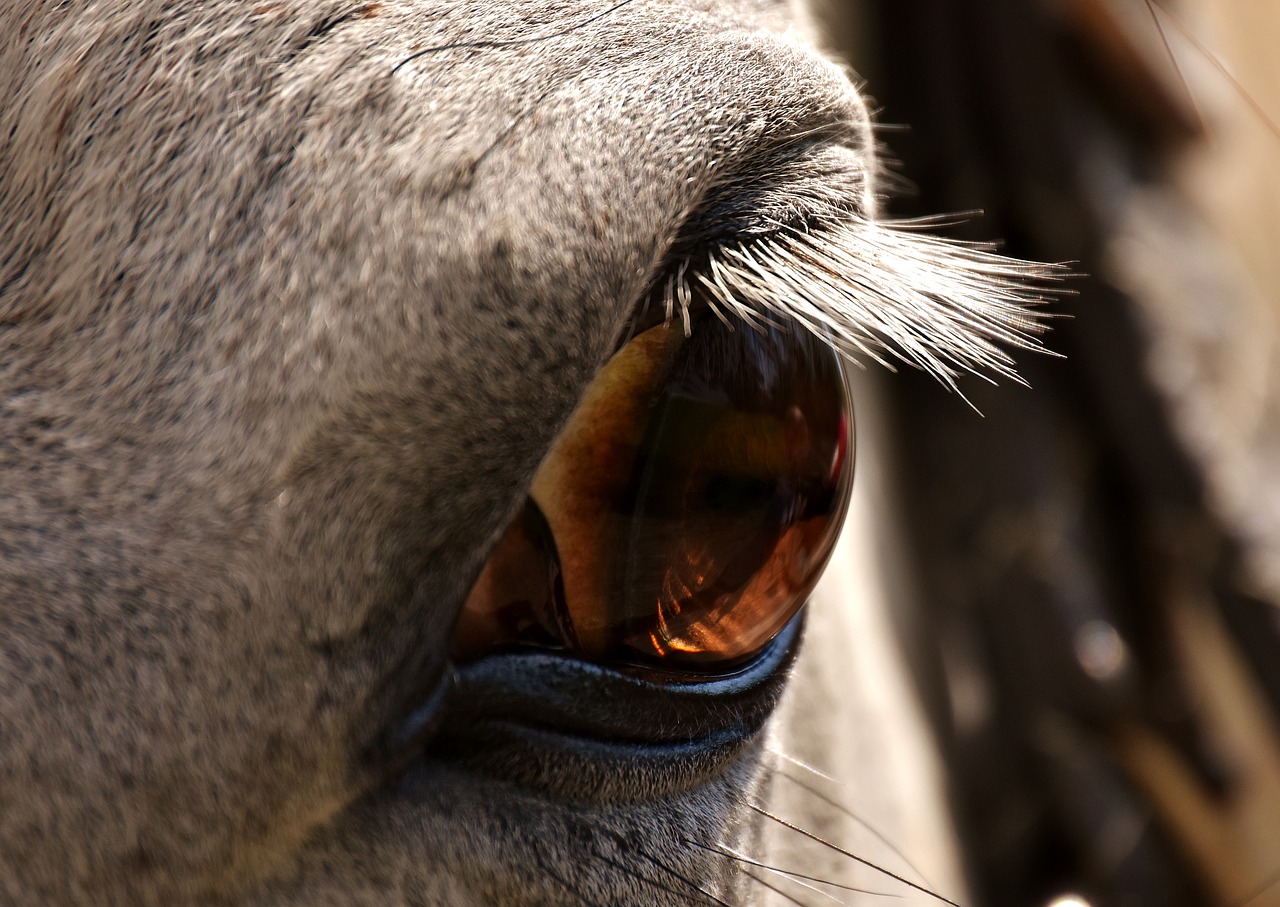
x=883 y=291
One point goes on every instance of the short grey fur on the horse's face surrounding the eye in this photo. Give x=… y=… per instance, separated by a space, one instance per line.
x=285 y=331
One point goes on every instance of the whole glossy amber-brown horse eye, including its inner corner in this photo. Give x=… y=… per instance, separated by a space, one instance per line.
x=687 y=511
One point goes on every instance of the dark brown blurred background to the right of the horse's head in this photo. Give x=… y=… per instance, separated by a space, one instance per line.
x=1100 y=556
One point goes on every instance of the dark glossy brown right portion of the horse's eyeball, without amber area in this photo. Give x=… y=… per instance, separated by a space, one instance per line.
x=739 y=489
